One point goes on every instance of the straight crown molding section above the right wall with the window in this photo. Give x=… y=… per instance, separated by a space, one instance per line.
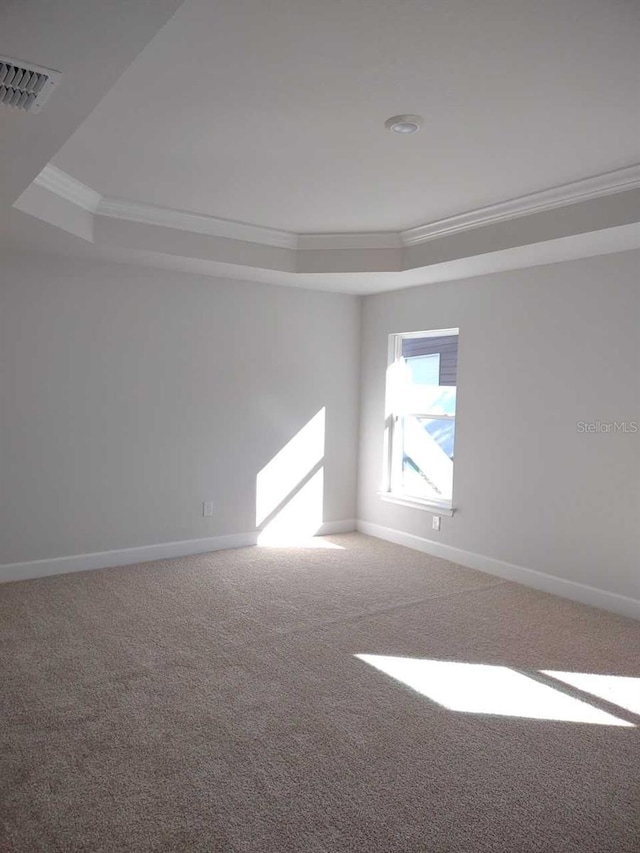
x=561 y=196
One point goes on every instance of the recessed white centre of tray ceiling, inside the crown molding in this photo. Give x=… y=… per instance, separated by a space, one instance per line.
x=272 y=113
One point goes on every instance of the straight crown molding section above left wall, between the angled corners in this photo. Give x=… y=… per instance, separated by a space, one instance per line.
x=197 y=223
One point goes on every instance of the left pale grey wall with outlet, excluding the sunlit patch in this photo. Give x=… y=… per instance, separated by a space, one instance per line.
x=129 y=395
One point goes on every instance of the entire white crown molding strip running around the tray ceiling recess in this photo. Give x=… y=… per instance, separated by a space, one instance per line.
x=67 y=187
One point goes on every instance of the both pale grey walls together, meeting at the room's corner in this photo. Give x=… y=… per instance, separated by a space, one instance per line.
x=129 y=395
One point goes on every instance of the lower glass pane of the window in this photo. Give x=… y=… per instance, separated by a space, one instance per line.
x=427 y=457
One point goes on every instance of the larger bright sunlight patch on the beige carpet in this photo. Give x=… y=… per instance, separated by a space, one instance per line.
x=485 y=689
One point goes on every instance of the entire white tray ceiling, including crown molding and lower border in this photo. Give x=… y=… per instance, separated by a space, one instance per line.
x=247 y=140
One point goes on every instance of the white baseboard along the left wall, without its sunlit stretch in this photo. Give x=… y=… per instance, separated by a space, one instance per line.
x=144 y=553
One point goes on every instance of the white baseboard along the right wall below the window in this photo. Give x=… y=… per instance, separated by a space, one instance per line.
x=529 y=577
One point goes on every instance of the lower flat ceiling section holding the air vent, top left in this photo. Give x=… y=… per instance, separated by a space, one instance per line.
x=91 y=42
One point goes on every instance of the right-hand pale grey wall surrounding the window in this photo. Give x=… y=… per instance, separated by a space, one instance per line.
x=541 y=349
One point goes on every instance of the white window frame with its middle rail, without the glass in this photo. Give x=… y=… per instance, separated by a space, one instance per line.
x=392 y=466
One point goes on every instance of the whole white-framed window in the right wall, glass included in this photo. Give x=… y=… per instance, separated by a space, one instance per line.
x=421 y=418
